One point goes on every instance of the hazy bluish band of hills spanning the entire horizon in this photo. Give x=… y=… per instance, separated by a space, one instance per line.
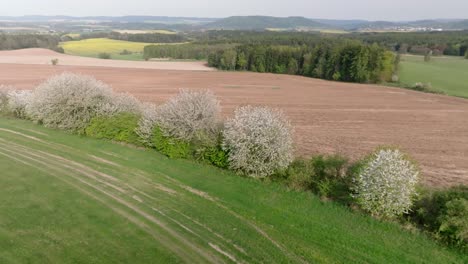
x=71 y=23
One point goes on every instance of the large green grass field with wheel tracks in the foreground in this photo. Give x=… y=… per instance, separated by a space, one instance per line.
x=70 y=199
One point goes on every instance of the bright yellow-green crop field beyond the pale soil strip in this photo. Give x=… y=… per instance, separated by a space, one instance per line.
x=93 y=47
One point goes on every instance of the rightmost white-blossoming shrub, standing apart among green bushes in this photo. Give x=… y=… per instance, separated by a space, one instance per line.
x=386 y=184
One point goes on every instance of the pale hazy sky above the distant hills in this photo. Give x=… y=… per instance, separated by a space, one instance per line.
x=335 y=9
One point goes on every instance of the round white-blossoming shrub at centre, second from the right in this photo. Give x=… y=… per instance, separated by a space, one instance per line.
x=259 y=141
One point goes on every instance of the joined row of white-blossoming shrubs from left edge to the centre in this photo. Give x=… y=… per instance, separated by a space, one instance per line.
x=258 y=140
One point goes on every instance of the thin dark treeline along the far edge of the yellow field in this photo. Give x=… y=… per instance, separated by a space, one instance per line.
x=139 y=37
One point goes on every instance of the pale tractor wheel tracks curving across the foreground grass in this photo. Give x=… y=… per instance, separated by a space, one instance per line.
x=108 y=185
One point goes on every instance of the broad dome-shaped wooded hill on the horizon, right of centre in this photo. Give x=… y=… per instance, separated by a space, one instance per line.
x=263 y=22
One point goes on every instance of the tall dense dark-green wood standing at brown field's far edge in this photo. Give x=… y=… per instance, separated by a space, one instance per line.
x=349 y=61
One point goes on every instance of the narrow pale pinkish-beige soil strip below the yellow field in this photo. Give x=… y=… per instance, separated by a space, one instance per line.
x=44 y=57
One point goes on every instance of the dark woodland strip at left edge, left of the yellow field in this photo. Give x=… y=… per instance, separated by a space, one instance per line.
x=24 y=41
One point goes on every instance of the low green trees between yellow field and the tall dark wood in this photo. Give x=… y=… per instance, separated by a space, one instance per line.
x=184 y=51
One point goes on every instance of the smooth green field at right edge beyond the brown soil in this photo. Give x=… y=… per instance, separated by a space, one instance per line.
x=447 y=74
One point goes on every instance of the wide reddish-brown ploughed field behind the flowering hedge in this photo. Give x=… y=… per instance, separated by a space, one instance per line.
x=329 y=117
